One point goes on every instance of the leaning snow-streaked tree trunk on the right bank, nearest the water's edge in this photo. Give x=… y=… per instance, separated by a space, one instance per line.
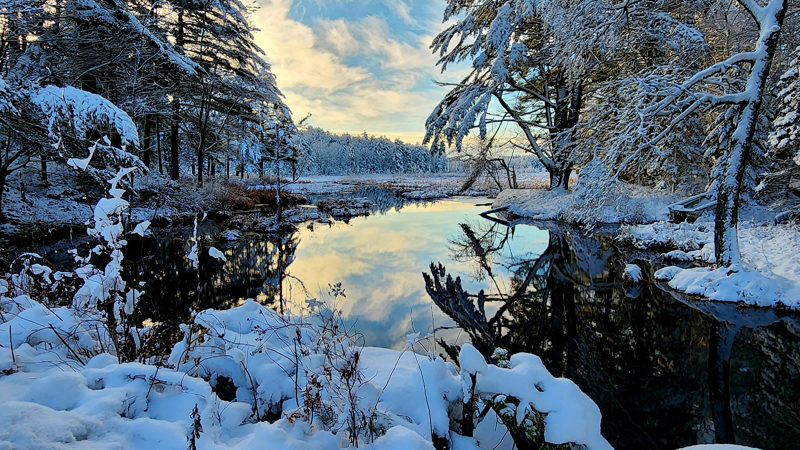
x=726 y=244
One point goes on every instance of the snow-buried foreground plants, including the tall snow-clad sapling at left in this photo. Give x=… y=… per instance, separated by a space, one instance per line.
x=85 y=372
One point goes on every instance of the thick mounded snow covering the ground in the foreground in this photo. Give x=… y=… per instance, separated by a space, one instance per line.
x=60 y=387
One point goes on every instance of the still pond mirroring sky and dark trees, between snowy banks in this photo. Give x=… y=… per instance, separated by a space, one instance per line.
x=665 y=371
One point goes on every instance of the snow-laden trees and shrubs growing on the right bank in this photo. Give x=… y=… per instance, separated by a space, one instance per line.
x=580 y=84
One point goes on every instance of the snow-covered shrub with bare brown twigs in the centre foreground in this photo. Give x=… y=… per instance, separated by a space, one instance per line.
x=306 y=369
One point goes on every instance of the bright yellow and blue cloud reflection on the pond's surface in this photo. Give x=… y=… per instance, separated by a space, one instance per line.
x=379 y=260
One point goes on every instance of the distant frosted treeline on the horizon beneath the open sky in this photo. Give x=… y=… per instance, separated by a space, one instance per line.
x=326 y=153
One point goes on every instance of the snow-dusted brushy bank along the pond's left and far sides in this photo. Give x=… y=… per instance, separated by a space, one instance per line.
x=42 y=213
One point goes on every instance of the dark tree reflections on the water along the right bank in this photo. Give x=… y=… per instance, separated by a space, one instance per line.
x=666 y=372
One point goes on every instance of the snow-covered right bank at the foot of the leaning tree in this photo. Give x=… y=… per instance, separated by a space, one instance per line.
x=768 y=276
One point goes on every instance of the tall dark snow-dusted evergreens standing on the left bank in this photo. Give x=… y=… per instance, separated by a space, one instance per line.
x=169 y=86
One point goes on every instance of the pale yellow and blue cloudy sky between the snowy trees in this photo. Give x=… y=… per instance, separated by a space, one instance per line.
x=356 y=65
